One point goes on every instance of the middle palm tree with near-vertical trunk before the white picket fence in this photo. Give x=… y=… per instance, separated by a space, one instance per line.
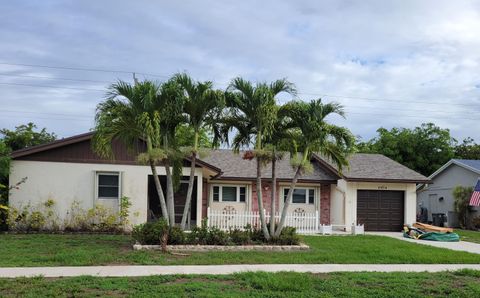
x=253 y=114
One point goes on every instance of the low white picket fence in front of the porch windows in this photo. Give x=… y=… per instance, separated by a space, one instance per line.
x=305 y=223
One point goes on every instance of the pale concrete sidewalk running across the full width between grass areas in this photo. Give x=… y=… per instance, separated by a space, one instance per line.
x=119 y=271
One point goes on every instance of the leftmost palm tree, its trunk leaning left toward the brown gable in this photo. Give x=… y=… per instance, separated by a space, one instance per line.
x=129 y=114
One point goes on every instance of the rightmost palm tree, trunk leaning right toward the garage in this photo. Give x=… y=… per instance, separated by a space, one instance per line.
x=312 y=134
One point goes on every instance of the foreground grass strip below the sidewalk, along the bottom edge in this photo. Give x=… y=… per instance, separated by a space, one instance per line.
x=284 y=284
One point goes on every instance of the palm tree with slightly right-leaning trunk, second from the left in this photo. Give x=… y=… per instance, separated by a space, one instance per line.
x=202 y=104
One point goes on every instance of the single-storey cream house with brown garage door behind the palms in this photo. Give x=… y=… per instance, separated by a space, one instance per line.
x=374 y=190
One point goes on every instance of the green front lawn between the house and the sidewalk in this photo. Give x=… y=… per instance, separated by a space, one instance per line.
x=76 y=250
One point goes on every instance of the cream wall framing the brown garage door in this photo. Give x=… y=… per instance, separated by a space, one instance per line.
x=350 y=189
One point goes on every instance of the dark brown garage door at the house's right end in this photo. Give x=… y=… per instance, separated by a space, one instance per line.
x=380 y=210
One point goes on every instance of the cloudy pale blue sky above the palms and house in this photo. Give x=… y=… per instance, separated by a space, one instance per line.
x=390 y=63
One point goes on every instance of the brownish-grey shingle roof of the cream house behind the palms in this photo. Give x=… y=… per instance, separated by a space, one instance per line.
x=363 y=167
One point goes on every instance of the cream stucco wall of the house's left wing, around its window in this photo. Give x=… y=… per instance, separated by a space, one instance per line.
x=68 y=182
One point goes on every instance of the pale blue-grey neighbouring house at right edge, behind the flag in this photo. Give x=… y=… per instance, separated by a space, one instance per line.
x=438 y=198
